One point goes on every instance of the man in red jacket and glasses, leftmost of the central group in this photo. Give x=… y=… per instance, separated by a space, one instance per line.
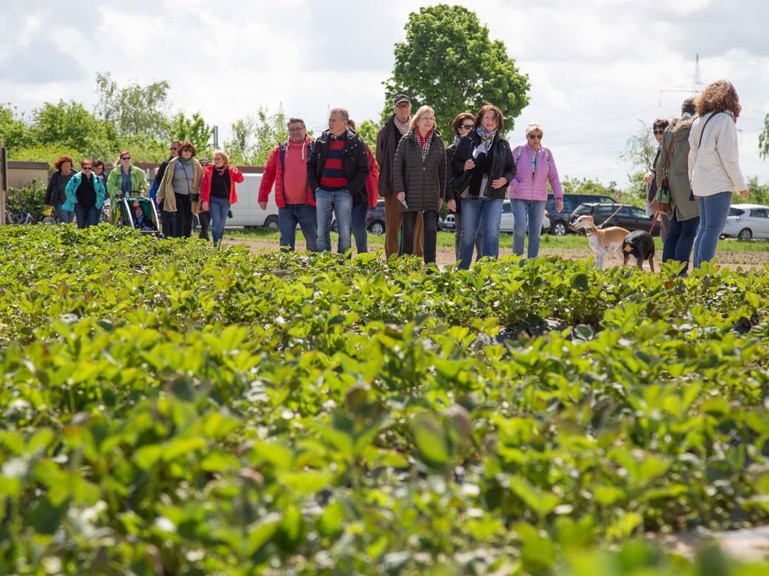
x=287 y=169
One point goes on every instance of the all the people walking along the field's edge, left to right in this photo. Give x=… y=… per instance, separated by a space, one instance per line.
x=336 y=177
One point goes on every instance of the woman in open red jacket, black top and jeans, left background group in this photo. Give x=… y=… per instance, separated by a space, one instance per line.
x=217 y=192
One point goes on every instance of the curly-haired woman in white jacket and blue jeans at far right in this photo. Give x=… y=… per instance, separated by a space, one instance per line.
x=714 y=164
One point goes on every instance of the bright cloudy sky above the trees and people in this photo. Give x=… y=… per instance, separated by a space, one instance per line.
x=597 y=68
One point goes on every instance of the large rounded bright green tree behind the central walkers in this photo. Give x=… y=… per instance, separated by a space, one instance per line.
x=449 y=62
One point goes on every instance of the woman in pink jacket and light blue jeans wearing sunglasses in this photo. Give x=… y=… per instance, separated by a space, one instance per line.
x=534 y=168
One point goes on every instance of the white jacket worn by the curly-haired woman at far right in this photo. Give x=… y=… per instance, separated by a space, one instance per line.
x=715 y=166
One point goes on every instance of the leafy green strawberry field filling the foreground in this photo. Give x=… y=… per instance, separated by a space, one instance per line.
x=169 y=408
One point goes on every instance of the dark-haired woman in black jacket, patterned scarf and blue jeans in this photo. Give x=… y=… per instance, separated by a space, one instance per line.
x=487 y=160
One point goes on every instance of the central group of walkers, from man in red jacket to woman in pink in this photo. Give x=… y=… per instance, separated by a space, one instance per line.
x=336 y=175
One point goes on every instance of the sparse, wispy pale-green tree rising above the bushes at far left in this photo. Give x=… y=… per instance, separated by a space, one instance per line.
x=137 y=112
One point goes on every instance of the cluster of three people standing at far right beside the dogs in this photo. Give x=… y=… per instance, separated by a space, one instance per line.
x=697 y=161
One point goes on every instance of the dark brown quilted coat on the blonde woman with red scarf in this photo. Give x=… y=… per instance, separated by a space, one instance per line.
x=423 y=181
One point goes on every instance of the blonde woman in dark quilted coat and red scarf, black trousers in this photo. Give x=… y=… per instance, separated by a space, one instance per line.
x=419 y=180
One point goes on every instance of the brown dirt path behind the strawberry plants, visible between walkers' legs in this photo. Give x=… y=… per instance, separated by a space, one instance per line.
x=445 y=255
